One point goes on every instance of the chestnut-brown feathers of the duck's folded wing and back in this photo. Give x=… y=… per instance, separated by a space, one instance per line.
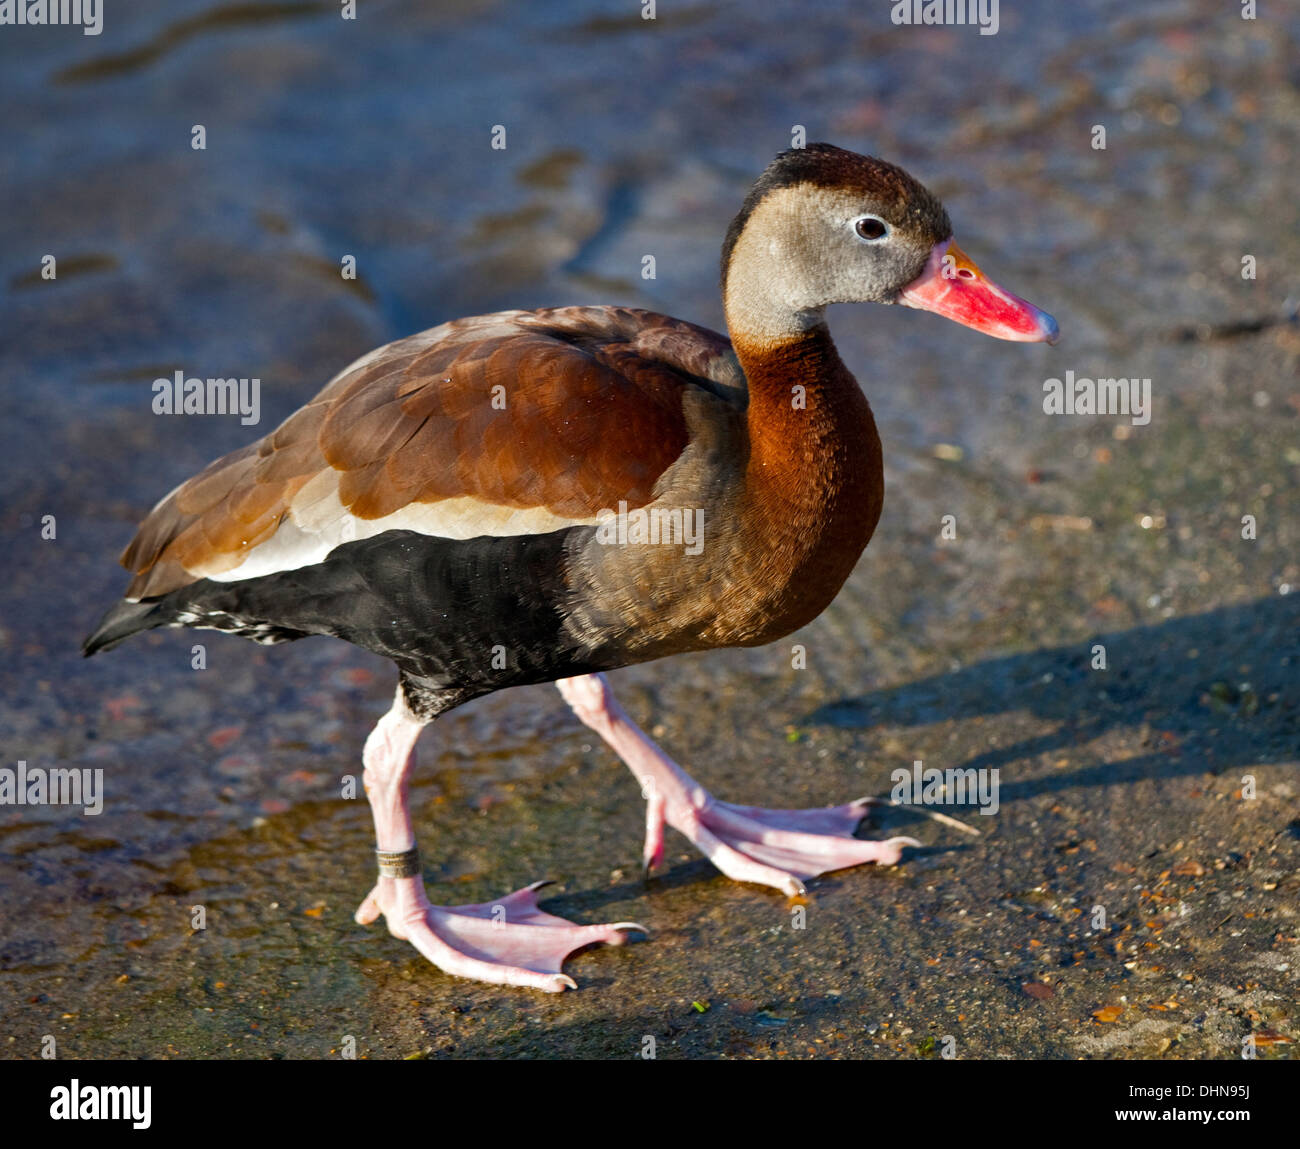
x=593 y=415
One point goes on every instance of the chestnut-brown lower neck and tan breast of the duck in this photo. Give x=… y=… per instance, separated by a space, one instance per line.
x=791 y=493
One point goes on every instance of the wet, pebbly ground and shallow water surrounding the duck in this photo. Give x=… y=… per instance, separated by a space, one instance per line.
x=1162 y=790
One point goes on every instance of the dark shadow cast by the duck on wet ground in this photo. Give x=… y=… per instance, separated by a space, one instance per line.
x=1204 y=693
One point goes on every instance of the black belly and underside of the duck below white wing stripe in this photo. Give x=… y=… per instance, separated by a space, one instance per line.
x=461 y=618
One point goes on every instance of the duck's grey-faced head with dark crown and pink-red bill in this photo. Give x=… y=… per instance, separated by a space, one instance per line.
x=824 y=226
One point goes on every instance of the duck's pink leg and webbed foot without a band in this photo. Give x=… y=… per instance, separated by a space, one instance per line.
x=774 y=848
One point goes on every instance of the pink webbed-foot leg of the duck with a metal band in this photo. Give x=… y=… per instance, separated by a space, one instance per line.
x=509 y=942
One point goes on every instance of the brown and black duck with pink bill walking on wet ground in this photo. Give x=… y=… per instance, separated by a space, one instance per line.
x=549 y=496
